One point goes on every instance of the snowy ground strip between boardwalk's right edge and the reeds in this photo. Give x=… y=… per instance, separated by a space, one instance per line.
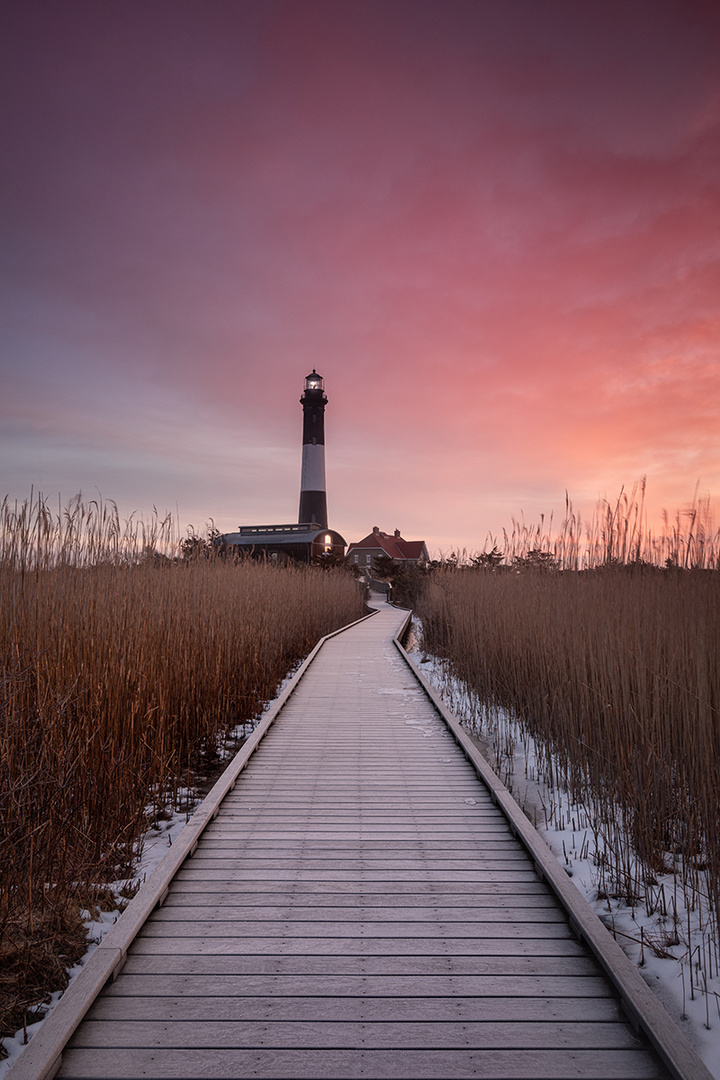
x=669 y=942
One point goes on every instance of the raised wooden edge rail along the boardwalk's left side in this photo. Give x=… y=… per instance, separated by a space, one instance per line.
x=43 y=1057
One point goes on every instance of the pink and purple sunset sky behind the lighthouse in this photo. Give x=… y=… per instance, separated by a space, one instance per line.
x=493 y=227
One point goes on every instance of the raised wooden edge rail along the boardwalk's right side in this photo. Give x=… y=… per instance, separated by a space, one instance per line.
x=642 y=1006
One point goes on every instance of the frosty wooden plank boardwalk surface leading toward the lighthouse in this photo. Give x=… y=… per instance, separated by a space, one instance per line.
x=360 y=908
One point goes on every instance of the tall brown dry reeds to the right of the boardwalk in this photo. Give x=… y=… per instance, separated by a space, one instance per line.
x=616 y=673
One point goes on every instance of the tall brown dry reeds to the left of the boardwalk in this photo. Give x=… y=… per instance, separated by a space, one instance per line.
x=120 y=667
